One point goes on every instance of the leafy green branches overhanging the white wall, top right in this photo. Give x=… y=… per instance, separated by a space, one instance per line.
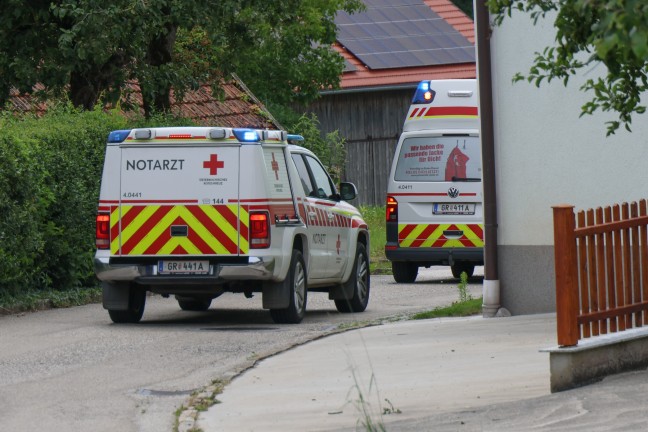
x=611 y=32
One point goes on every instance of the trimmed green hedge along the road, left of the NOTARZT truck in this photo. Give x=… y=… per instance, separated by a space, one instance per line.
x=50 y=172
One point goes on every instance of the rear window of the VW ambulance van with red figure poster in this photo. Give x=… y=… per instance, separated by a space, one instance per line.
x=439 y=158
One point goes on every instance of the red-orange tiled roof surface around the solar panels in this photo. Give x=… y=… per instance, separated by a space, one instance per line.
x=361 y=76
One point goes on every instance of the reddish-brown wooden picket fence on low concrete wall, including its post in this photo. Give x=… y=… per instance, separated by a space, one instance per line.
x=601 y=264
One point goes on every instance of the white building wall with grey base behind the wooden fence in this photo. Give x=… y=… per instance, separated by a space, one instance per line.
x=546 y=155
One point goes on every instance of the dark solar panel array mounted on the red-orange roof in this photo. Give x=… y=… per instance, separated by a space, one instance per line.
x=402 y=33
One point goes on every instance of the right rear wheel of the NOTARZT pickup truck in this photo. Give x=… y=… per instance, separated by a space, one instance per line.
x=296 y=281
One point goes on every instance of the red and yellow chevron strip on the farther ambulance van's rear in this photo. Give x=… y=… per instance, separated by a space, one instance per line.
x=424 y=235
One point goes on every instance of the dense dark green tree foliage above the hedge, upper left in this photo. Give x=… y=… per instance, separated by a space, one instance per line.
x=90 y=48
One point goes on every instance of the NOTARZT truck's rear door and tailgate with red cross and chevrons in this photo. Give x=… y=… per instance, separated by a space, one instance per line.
x=179 y=197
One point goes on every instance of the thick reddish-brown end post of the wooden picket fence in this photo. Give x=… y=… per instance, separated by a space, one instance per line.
x=566 y=275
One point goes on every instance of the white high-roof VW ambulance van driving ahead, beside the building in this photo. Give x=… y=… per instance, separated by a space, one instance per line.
x=434 y=212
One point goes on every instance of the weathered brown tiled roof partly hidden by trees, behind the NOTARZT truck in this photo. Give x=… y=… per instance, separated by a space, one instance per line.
x=237 y=108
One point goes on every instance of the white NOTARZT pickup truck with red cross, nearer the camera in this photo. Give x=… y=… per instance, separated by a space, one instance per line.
x=198 y=211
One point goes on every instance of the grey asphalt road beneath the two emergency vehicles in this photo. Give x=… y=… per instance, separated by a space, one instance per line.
x=72 y=369
